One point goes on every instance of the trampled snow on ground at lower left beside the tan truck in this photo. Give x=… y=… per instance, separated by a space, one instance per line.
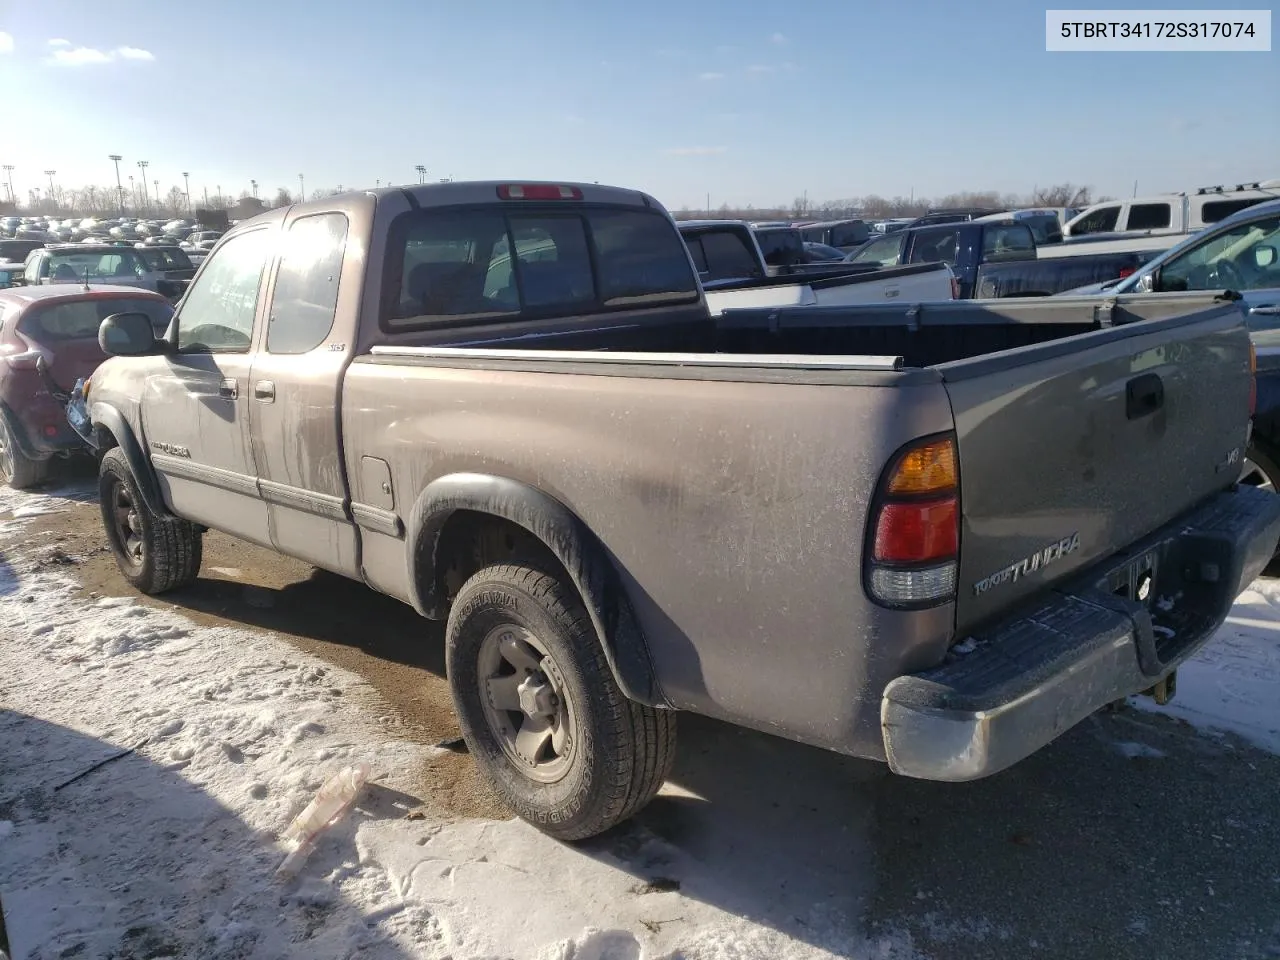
x=172 y=851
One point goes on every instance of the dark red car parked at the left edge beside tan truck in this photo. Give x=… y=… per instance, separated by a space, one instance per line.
x=48 y=342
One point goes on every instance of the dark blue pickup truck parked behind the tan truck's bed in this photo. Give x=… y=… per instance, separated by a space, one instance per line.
x=996 y=259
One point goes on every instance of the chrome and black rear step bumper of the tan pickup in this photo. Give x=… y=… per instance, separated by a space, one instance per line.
x=1086 y=644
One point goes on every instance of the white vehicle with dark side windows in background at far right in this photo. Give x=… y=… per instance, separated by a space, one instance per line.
x=1171 y=213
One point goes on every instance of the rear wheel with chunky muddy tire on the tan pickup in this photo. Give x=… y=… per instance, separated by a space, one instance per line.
x=620 y=752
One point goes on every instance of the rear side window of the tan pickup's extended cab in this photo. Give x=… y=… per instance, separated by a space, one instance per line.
x=305 y=298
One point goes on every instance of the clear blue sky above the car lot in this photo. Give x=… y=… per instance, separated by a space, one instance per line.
x=751 y=102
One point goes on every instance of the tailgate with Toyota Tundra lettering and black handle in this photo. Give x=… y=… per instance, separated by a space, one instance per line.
x=1072 y=451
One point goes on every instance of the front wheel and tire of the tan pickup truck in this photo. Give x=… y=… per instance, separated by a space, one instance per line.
x=154 y=554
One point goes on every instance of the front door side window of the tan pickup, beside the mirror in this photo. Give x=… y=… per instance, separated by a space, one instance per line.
x=217 y=314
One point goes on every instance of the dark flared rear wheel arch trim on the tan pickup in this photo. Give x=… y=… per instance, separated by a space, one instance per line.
x=455 y=499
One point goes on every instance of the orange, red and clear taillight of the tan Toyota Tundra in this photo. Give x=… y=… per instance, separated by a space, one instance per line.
x=916 y=543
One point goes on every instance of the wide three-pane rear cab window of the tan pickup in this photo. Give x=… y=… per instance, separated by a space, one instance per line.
x=483 y=264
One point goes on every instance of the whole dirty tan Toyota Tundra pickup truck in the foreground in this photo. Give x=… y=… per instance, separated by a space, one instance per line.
x=936 y=536
